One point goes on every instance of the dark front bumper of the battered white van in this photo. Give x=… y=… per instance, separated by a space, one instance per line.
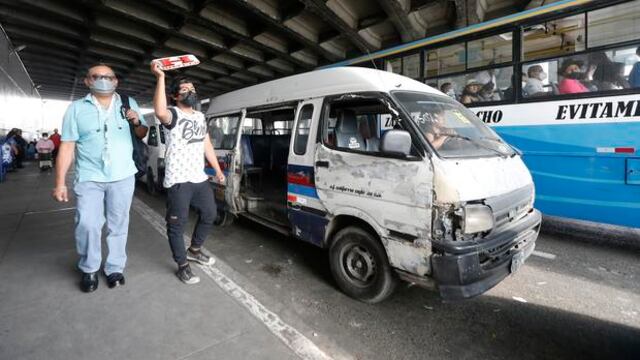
x=468 y=270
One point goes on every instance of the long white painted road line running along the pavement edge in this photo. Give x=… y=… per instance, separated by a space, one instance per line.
x=292 y=338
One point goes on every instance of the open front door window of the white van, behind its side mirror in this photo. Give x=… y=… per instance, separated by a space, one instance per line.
x=355 y=124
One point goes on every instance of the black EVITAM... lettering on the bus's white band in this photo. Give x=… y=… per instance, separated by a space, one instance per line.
x=599 y=110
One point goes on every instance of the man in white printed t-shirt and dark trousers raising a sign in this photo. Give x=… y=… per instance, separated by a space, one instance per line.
x=187 y=144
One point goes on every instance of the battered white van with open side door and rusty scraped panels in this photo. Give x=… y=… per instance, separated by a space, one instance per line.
x=396 y=179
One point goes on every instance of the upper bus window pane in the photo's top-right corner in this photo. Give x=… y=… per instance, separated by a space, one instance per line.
x=614 y=24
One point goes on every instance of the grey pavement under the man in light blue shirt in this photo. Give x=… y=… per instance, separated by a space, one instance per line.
x=44 y=315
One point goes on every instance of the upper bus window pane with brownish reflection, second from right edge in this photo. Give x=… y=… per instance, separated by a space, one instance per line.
x=557 y=37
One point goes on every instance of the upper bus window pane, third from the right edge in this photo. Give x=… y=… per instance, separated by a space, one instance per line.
x=490 y=50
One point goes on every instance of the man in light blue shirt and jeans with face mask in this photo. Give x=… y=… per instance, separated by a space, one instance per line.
x=96 y=132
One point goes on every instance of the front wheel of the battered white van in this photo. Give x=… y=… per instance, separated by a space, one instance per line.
x=360 y=266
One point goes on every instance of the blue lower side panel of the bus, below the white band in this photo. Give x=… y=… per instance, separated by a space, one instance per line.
x=578 y=173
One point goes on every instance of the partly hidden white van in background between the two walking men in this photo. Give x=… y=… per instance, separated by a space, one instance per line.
x=156 y=149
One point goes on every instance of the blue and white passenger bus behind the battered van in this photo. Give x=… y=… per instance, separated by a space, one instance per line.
x=561 y=83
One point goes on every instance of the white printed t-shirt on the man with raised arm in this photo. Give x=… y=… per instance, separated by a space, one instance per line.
x=184 y=159
